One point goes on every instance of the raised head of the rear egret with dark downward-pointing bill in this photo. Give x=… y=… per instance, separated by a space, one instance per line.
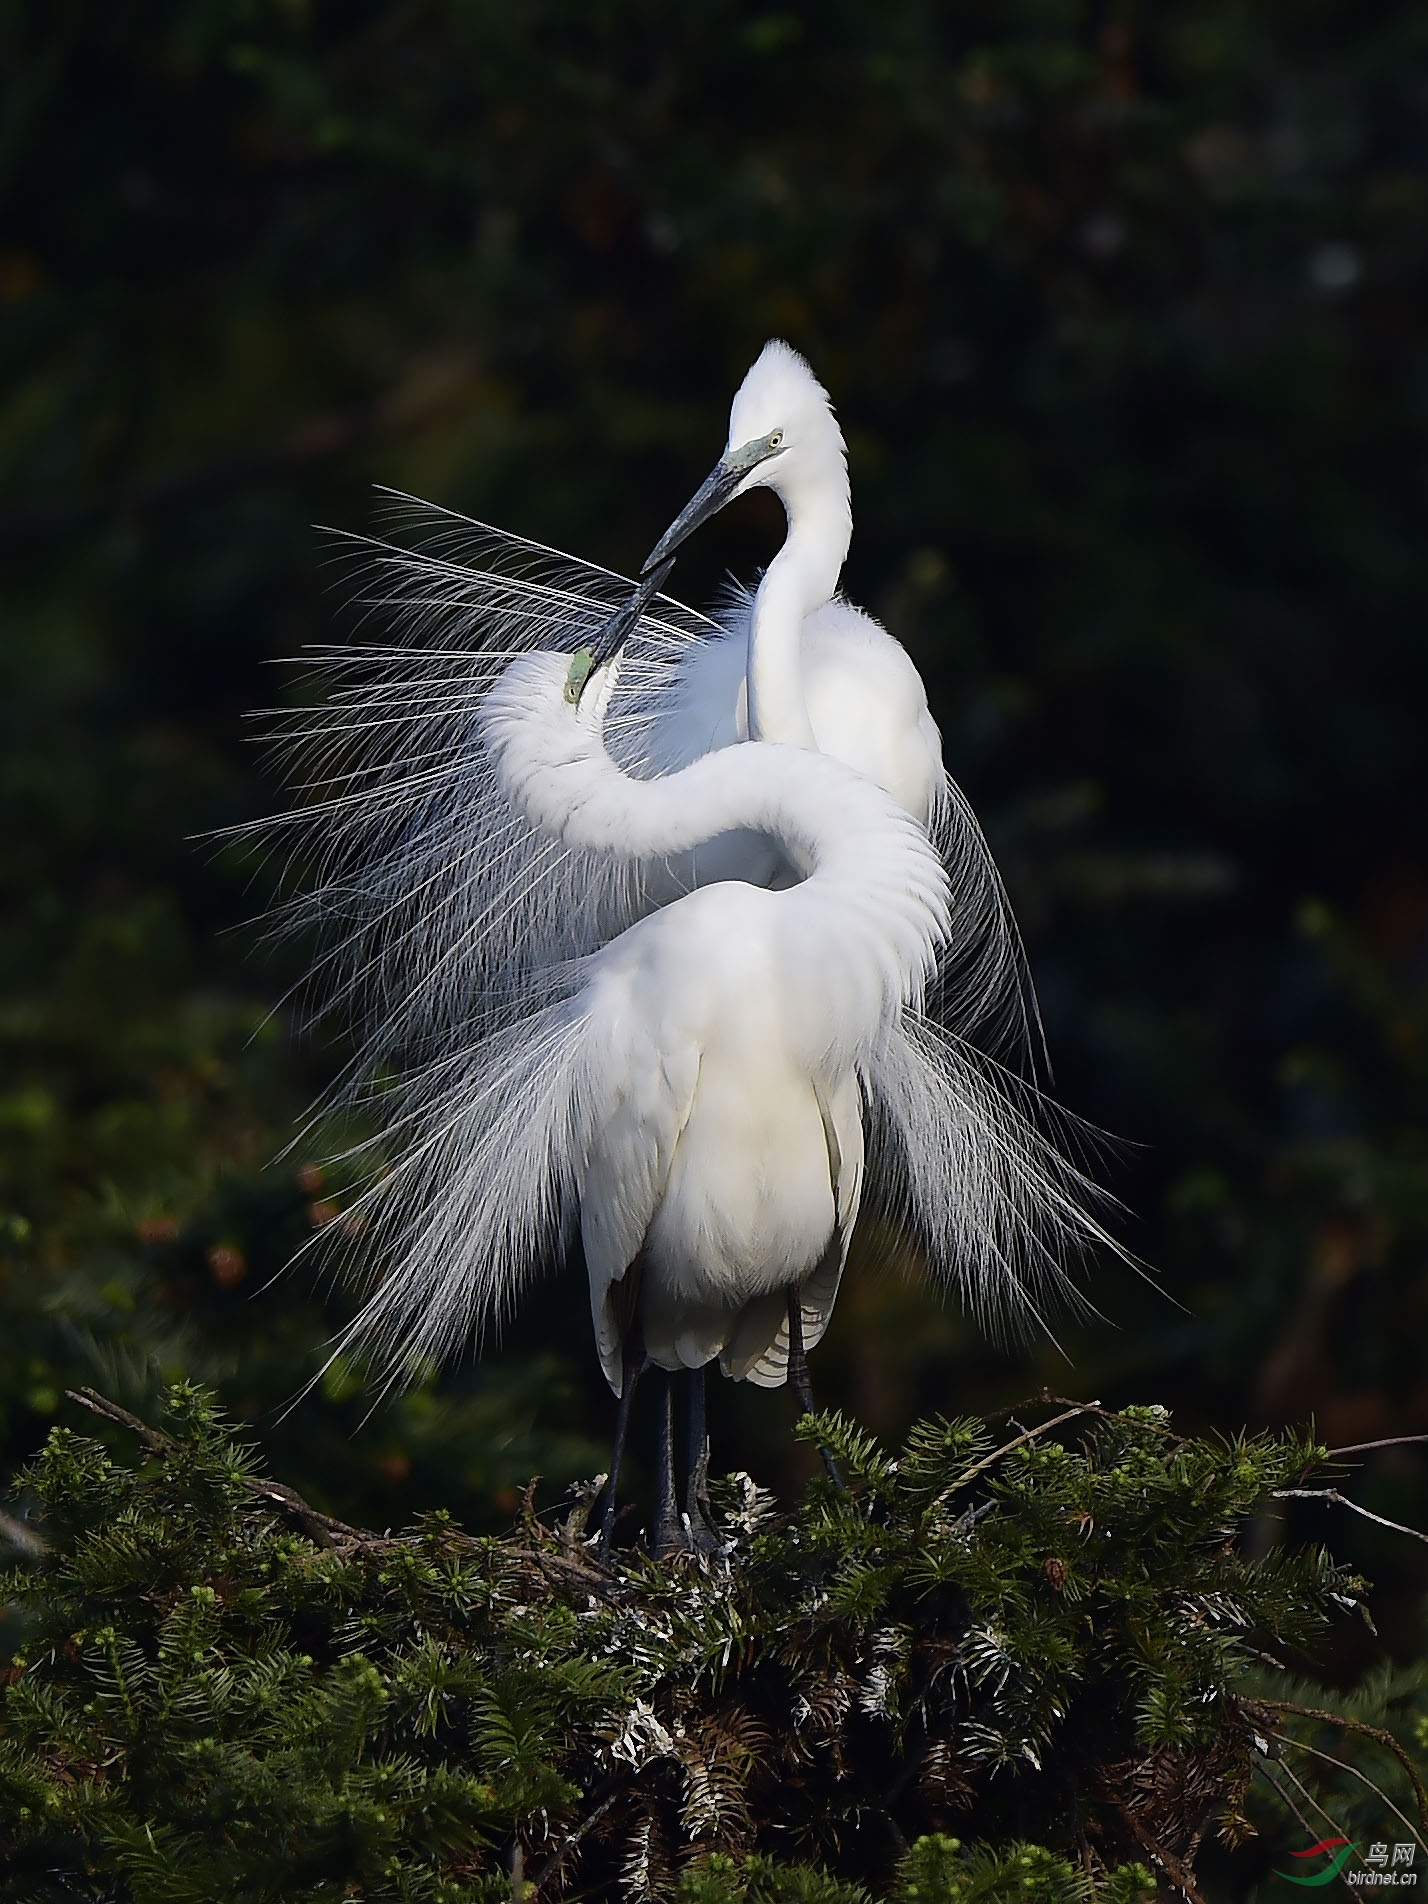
x=783 y=437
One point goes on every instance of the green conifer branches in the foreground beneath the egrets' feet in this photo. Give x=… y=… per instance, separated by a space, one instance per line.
x=1006 y=1667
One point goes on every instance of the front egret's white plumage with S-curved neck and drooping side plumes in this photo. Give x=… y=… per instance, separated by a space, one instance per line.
x=664 y=1056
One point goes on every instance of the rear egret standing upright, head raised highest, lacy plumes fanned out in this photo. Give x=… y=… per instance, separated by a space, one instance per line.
x=439 y=898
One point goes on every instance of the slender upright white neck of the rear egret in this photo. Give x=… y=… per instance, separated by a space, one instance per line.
x=801 y=578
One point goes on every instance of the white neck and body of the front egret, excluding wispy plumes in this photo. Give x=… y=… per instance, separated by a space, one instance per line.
x=724 y=1039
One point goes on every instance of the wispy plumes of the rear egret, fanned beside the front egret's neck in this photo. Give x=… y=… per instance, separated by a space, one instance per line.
x=431 y=898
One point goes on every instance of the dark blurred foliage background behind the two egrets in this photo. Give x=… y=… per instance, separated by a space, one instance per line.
x=1126 y=315
